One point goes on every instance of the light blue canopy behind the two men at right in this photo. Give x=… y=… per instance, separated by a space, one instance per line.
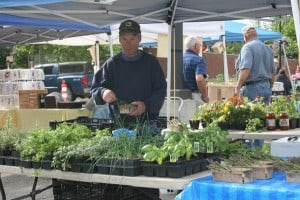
x=233 y=33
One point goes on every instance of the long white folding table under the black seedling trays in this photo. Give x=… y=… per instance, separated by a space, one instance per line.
x=136 y=181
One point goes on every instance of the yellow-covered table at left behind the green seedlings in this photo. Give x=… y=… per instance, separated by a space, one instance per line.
x=27 y=119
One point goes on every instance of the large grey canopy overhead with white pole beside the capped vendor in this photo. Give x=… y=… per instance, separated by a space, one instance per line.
x=107 y=12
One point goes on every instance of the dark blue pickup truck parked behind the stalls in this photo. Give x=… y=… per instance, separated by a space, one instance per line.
x=78 y=76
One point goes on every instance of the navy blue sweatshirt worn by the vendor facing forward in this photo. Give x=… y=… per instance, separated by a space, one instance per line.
x=137 y=79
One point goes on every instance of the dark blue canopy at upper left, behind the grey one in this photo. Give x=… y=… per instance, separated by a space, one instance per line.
x=18 y=30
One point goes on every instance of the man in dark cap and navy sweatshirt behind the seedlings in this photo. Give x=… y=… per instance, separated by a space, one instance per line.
x=131 y=76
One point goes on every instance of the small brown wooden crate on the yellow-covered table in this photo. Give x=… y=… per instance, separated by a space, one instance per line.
x=29 y=99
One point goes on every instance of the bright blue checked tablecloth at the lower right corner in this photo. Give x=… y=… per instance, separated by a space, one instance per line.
x=276 y=188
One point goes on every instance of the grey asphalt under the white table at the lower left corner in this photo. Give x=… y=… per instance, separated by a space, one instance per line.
x=17 y=185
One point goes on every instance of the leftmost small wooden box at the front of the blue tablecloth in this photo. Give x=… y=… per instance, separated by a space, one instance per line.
x=237 y=175
